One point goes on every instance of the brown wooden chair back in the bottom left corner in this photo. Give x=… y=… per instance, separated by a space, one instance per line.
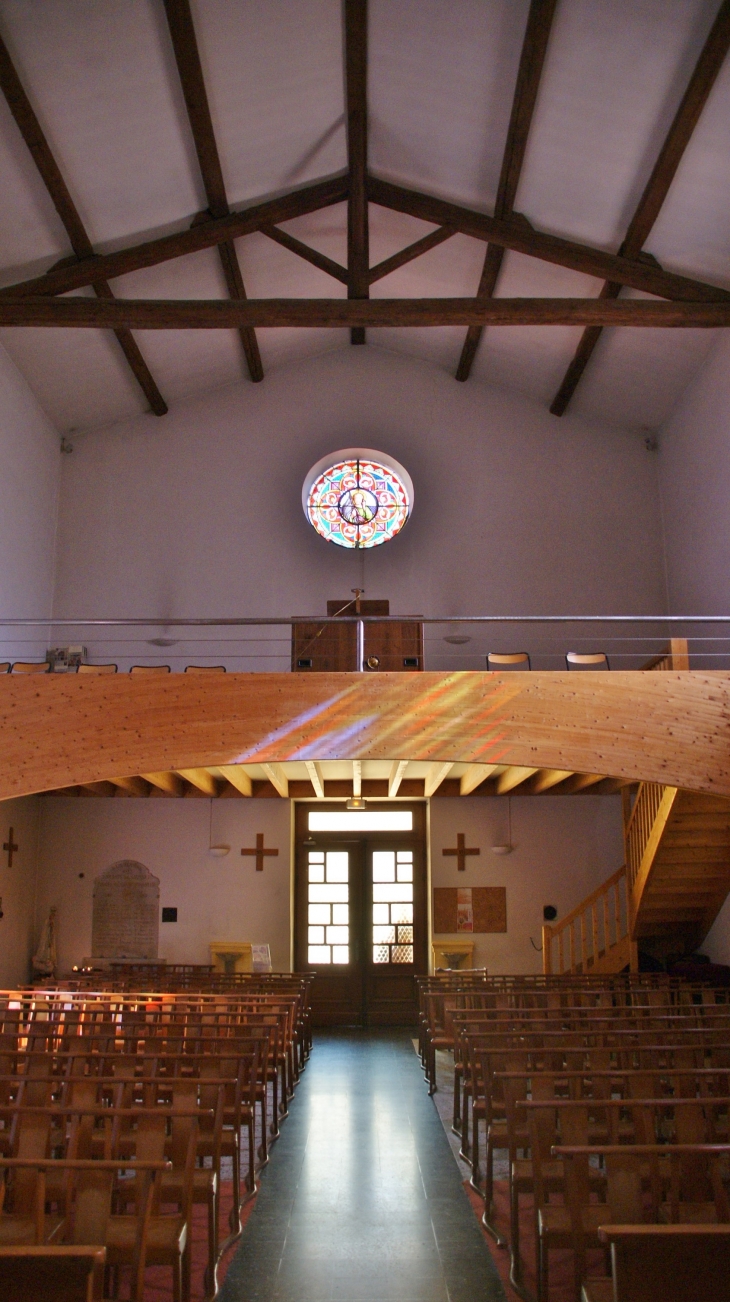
x=64 y=1273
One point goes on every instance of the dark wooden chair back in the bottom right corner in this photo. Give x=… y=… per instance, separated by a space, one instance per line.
x=655 y=1264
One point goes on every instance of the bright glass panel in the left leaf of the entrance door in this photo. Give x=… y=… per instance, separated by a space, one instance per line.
x=329 y=907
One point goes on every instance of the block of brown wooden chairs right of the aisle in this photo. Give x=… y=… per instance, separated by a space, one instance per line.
x=612 y=1105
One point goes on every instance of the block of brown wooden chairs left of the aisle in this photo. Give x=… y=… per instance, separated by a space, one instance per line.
x=98 y=1085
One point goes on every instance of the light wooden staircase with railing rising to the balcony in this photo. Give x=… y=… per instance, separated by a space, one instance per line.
x=666 y=899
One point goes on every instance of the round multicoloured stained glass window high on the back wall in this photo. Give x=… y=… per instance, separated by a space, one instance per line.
x=358 y=498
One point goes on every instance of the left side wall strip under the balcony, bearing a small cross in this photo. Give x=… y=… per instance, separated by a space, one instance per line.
x=19 y=933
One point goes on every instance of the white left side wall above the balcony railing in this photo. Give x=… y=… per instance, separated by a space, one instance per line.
x=31 y=477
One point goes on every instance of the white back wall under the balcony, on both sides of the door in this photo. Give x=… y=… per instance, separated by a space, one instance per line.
x=564 y=848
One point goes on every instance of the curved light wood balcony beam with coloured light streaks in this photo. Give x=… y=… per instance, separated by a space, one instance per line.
x=671 y=728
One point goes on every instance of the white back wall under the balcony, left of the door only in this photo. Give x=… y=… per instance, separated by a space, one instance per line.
x=218 y=899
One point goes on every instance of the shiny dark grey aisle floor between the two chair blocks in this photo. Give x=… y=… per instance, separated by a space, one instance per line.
x=362 y=1200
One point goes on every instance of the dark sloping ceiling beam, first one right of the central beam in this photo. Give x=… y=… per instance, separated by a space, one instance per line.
x=534 y=48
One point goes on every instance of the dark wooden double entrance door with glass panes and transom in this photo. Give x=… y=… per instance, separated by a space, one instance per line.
x=361 y=915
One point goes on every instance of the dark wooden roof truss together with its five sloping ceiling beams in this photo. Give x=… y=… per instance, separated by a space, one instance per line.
x=686 y=301
